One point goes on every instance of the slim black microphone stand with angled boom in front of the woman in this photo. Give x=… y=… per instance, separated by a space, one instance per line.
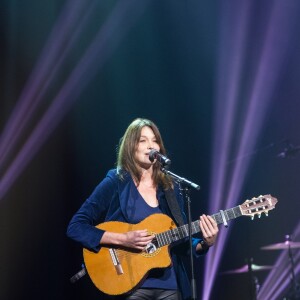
x=185 y=186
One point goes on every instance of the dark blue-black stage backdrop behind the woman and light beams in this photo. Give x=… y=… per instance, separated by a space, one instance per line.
x=165 y=68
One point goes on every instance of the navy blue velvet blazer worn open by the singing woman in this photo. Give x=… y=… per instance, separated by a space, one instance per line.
x=110 y=202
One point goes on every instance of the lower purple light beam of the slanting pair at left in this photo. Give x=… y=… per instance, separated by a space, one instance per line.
x=122 y=18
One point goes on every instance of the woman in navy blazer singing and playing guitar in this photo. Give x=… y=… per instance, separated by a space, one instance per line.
x=130 y=193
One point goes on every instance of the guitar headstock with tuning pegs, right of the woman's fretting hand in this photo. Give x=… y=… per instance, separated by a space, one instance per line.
x=257 y=206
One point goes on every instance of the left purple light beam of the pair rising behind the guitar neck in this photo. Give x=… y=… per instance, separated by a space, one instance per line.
x=231 y=62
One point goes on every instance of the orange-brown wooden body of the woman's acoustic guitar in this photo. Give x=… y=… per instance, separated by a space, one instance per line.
x=118 y=278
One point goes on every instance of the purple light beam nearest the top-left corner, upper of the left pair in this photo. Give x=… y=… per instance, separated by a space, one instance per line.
x=46 y=68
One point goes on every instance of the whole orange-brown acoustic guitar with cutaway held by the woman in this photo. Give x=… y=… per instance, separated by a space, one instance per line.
x=116 y=271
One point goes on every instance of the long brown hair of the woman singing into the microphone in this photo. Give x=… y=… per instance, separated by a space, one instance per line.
x=126 y=153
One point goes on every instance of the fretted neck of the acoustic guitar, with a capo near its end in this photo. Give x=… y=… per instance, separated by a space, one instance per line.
x=178 y=233
